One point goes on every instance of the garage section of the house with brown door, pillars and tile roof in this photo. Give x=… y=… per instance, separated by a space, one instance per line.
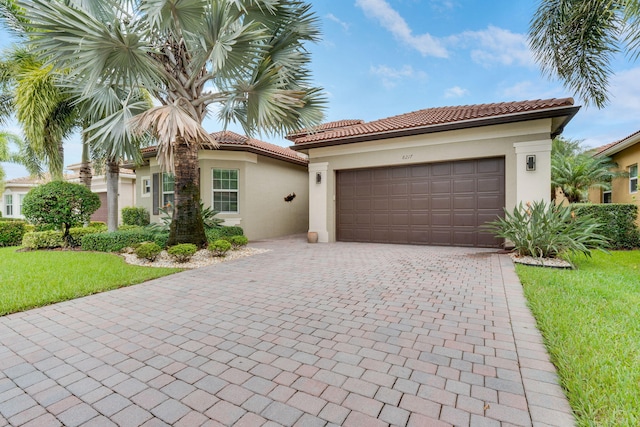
x=433 y=176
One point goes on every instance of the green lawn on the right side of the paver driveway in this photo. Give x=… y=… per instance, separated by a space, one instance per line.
x=590 y=319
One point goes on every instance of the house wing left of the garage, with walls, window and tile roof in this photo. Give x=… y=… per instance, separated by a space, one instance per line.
x=245 y=179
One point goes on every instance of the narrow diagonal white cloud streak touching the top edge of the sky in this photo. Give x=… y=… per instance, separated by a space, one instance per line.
x=391 y=20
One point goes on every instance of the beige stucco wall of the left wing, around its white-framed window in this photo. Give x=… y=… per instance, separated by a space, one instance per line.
x=263 y=184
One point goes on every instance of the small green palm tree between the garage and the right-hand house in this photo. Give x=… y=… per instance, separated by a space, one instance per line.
x=575 y=170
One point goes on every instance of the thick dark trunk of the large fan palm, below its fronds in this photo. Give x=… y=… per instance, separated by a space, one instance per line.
x=187 y=226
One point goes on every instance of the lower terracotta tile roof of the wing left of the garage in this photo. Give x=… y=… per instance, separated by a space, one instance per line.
x=231 y=140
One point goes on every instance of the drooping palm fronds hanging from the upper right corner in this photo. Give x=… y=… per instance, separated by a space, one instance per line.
x=576 y=40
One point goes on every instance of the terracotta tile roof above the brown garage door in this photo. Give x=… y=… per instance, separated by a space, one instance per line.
x=432 y=117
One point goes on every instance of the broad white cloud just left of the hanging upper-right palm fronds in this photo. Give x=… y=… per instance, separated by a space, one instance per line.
x=495 y=46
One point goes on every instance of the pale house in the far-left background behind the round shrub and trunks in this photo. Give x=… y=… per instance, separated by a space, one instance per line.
x=16 y=189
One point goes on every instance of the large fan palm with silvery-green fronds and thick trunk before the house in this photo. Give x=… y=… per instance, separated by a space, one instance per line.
x=246 y=56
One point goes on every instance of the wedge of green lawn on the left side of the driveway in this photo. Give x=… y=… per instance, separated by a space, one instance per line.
x=34 y=279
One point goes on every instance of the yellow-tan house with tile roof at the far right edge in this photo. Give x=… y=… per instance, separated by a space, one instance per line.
x=626 y=154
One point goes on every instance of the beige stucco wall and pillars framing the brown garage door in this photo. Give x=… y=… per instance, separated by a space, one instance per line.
x=512 y=141
